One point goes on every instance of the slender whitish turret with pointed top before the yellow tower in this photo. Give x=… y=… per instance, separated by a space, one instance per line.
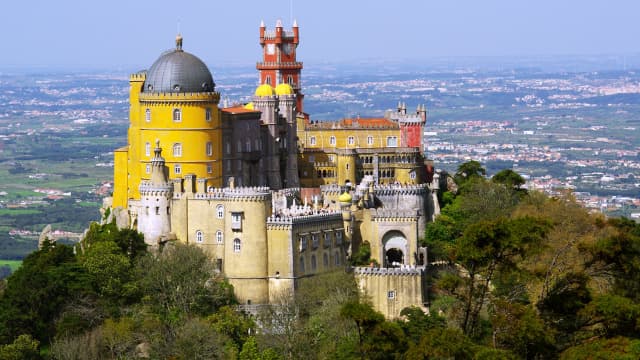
x=154 y=215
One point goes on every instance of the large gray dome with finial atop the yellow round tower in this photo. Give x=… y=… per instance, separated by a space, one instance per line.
x=177 y=71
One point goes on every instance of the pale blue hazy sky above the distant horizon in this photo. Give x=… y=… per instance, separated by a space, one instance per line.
x=112 y=34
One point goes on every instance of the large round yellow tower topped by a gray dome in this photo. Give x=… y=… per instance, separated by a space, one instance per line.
x=176 y=103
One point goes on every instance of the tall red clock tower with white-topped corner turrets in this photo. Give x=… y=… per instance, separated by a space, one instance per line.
x=279 y=63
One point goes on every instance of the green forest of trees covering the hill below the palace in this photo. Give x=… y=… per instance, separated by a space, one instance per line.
x=514 y=275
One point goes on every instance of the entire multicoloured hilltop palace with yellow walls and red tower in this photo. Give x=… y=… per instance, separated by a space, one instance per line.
x=271 y=195
